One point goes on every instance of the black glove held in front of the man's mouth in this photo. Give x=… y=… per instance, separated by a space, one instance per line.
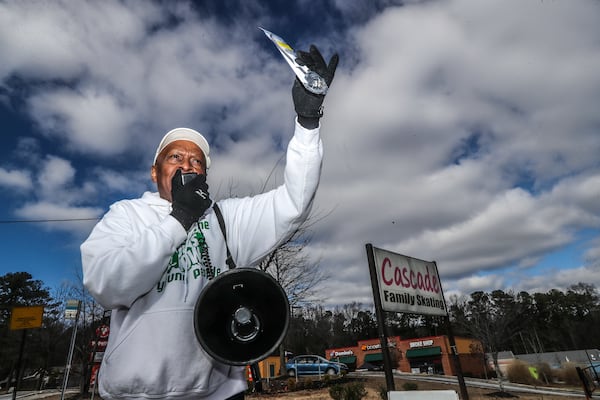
x=191 y=200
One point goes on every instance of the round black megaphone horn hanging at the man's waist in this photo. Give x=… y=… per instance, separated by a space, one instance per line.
x=241 y=316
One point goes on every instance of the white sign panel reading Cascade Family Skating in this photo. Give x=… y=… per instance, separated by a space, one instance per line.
x=408 y=284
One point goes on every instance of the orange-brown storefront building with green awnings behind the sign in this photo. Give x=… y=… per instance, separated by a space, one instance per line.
x=423 y=355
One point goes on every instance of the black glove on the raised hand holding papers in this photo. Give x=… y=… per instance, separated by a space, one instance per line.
x=308 y=104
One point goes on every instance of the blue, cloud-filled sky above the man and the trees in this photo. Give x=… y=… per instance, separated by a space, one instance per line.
x=457 y=131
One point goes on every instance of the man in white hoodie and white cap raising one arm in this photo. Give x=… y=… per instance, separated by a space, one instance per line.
x=148 y=259
